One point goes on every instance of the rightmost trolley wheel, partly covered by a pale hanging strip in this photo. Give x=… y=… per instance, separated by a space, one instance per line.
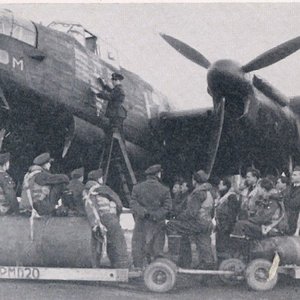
x=257 y=275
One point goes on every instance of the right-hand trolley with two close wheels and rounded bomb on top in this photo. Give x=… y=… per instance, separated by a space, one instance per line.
x=266 y=260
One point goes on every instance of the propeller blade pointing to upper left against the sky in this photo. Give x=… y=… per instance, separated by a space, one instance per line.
x=187 y=51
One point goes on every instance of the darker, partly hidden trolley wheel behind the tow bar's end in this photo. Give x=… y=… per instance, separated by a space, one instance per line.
x=235 y=265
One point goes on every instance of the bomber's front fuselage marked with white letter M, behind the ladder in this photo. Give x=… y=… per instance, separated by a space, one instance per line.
x=48 y=94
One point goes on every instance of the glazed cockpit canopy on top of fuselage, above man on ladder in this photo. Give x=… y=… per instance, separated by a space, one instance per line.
x=102 y=49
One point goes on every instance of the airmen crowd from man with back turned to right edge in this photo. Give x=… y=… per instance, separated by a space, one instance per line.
x=216 y=214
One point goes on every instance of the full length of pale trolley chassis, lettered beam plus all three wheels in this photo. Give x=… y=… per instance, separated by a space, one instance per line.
x=160 y=276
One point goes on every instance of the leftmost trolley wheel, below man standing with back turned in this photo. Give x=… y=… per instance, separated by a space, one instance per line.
x=160 y=276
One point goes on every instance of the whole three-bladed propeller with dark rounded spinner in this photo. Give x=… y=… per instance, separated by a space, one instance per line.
x=225 y=76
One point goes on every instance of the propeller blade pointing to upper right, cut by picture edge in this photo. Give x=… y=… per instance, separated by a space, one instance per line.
x=273 y=55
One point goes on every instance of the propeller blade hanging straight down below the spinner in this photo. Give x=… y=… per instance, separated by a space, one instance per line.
x=214 y=144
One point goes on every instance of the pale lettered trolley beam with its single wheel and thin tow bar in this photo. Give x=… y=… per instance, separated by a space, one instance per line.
x=159 y=276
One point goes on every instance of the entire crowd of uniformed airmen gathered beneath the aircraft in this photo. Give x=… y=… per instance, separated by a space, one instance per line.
x=254 y=209
